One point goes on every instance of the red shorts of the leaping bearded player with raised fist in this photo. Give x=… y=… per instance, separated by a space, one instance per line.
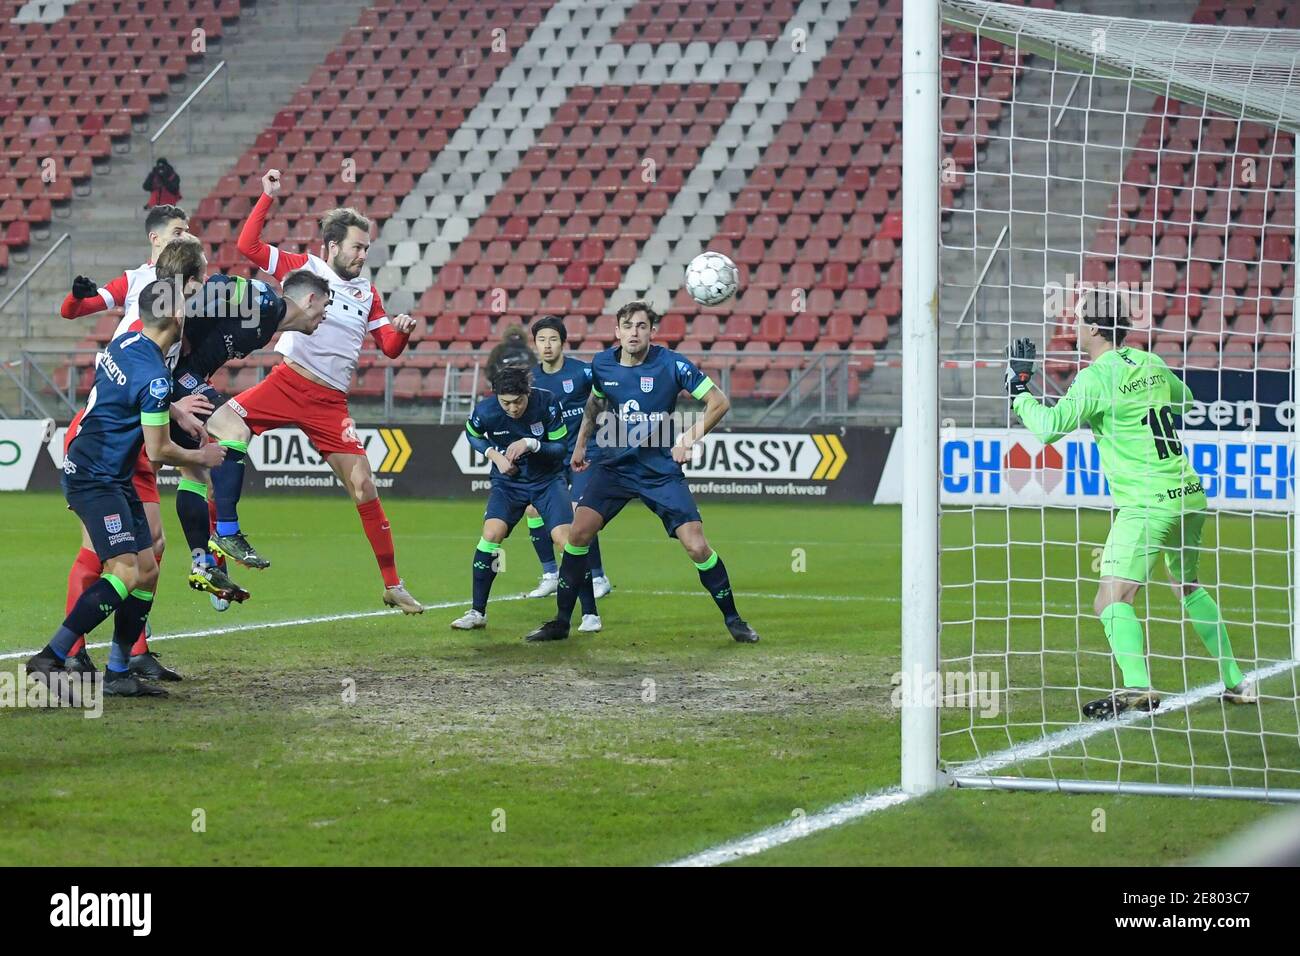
x=285 y=399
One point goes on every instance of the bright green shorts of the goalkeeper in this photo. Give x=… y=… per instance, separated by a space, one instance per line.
x=1139 y=535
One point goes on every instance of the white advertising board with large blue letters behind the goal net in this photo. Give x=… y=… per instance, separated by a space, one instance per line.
x=1238 y=470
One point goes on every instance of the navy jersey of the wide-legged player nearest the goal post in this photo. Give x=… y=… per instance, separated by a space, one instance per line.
x=643 y=400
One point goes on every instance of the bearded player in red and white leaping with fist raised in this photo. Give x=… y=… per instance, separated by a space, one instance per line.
x=310 y=388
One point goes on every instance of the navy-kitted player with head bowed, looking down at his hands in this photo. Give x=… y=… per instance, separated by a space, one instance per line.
x=522 y=432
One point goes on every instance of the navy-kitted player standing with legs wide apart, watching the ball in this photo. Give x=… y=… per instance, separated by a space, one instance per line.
x=635 y=391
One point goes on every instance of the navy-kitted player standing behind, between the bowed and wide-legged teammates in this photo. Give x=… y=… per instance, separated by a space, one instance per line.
x=570 y=380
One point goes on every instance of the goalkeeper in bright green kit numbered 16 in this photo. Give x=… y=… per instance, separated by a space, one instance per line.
x=1130 y=399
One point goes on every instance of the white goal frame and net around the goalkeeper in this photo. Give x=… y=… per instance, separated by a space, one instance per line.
x=1119 y=167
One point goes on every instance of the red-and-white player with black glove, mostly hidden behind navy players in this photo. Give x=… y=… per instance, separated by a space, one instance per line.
x=162 y=226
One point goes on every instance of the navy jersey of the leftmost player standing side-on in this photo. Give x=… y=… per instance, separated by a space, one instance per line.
x=132 y=387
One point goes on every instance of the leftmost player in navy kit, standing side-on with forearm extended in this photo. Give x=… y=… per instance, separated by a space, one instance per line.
x=128 y=409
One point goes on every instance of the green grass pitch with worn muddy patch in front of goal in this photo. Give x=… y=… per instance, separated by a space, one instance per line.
x=385 y=739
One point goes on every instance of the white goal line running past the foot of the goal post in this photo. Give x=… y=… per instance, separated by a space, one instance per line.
x=872 y=803
